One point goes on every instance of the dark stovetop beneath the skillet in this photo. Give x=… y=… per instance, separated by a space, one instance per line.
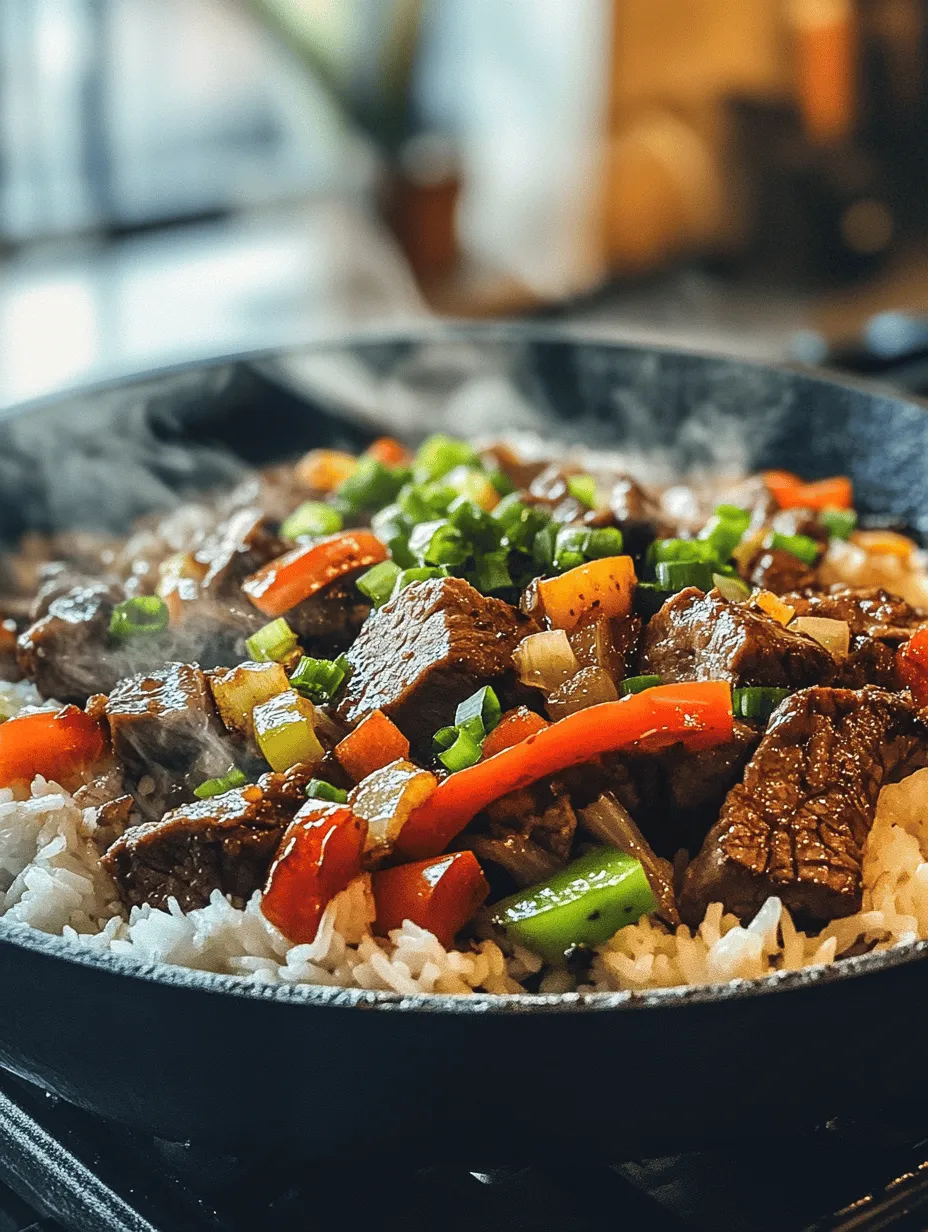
x=63 y=1169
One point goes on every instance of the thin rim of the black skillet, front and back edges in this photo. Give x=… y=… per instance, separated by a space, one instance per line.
x=336 y=997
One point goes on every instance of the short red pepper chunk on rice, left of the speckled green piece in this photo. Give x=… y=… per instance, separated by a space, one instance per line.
x=437 y=895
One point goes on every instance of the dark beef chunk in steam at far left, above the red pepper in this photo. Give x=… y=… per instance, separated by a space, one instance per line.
x=67 y=652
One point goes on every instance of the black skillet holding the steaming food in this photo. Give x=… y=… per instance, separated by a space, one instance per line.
x=331 y=1072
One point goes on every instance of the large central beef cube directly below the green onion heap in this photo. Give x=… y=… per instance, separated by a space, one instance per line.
x=426 y=651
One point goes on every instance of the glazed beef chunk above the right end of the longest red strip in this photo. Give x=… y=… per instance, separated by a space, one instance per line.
x=706 y=638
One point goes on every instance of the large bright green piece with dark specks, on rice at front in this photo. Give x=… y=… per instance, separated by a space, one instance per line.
x=585 y=904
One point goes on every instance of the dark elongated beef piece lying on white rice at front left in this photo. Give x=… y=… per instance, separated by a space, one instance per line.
x=226 y=843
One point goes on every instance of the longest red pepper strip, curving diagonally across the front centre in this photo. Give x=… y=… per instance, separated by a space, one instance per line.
x=697 y=715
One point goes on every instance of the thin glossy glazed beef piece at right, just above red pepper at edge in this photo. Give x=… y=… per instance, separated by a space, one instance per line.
x=879 y=623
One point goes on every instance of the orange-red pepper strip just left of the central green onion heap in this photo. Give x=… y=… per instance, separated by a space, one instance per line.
x=294 y=577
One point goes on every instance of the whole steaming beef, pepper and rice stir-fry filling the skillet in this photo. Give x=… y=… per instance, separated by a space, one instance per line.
x=462 y=719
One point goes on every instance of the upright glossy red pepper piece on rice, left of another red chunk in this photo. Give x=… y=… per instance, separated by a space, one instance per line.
x=319 y=857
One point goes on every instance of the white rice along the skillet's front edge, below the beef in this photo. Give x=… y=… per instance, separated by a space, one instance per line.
x=51 y=879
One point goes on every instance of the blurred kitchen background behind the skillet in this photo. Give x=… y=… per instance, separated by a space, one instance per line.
x=193 y=178
